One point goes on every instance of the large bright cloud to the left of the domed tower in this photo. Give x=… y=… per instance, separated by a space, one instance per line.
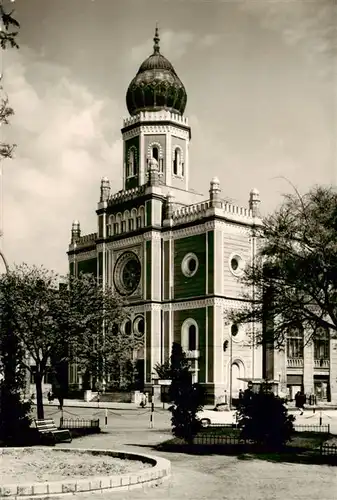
x=66 y=143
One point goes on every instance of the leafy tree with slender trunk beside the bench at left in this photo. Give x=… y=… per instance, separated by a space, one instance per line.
x=77 y=322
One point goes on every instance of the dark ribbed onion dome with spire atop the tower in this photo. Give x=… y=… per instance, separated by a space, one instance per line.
x=156 y=85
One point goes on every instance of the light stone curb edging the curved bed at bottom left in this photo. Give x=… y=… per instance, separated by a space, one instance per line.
x=154 y=476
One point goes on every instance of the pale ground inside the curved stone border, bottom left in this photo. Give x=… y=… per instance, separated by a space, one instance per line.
x=32 y=465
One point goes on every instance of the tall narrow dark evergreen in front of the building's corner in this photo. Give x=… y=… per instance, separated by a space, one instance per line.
x=187 y=398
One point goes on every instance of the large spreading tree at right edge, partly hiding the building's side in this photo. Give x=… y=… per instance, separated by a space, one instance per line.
x=293 y=281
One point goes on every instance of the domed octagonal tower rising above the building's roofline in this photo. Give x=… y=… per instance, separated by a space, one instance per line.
x=156 y=100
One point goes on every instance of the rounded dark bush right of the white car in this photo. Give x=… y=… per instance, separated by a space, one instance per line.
x=263 y=418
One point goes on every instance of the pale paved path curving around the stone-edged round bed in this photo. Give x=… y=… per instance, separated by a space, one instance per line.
x=207 y=477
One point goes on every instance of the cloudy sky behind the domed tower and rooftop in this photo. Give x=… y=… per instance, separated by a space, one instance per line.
x=261 y=81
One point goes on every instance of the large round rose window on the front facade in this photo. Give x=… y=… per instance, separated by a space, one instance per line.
x=127 y=273
